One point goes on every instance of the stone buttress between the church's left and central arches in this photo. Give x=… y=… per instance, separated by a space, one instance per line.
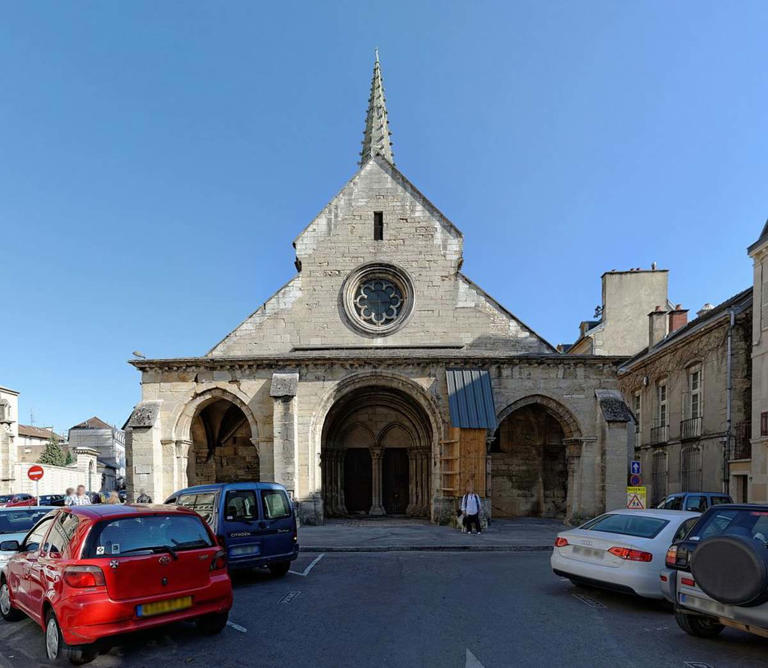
x=284 y=431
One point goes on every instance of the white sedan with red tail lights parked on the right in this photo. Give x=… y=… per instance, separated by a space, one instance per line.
x=622 y=550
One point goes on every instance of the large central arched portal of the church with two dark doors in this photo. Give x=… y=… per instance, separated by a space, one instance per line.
x=375 y=454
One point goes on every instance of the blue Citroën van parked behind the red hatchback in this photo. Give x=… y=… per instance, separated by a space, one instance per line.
x=254 y=521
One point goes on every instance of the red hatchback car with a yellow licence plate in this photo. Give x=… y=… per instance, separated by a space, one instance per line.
x=86 y=573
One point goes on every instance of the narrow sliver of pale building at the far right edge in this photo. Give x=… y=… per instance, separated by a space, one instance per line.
x=758 y=464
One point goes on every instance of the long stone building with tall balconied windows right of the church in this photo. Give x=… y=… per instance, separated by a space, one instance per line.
x=690 y=391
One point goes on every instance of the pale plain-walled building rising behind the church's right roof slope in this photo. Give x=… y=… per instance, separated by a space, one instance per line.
x=619 y=327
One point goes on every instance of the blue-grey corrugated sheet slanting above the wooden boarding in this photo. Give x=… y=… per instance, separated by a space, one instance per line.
x=470 y=399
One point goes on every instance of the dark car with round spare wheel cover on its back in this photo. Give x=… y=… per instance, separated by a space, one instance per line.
x=717 y=575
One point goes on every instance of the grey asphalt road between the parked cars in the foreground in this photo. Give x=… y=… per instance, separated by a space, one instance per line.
x=420 y=609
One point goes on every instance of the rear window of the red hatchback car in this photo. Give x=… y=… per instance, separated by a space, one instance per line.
x=145 y=534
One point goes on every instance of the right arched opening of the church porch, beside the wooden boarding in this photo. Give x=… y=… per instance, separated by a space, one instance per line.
x=529 y=463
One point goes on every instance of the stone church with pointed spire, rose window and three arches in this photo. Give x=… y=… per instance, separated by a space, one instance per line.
x=381 y=380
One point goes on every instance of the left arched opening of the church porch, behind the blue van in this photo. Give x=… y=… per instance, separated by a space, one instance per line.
x=222 y=449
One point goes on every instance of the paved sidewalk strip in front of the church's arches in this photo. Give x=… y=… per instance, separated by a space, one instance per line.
x=393 y=535
